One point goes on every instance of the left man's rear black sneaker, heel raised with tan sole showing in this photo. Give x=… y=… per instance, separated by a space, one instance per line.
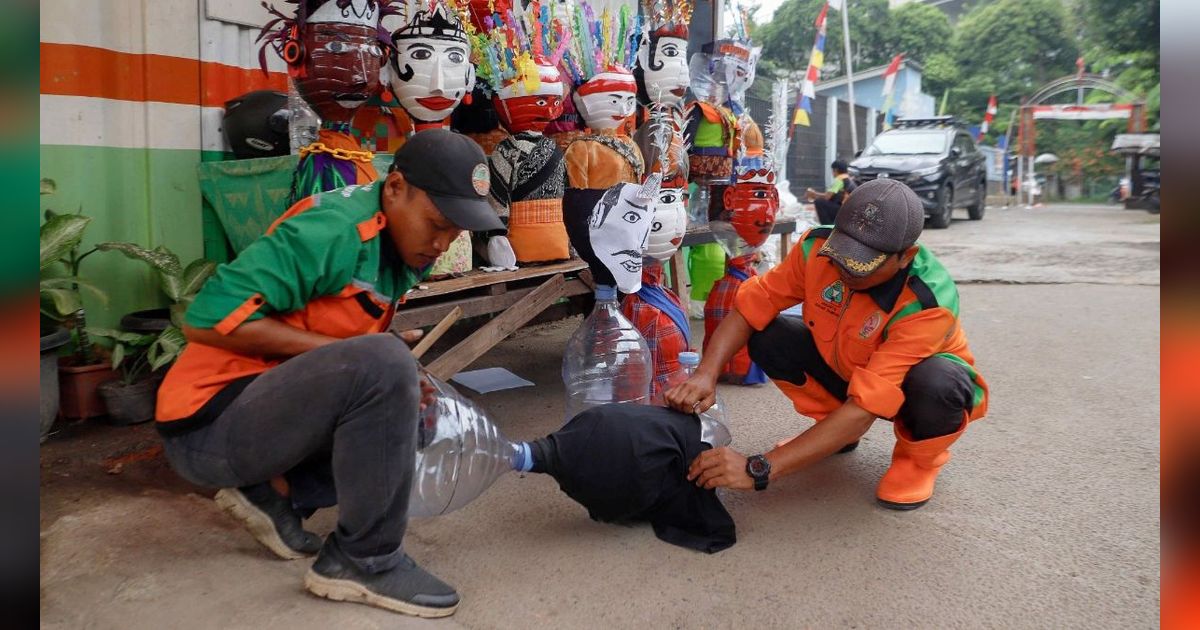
x=271 y=519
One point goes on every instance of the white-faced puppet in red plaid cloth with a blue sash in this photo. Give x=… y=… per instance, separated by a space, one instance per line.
x=656 y=310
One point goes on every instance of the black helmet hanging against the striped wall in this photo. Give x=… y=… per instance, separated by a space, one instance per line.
x=256 y=124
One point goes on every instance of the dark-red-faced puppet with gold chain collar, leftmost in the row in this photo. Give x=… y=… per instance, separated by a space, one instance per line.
x=334 y=51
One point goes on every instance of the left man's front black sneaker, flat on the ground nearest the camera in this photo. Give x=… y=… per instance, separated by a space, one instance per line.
x=407 y=589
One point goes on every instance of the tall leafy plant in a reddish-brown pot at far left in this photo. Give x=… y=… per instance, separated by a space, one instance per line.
x=64 y=319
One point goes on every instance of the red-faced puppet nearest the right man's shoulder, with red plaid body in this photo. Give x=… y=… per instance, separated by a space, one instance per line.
x=748 y=215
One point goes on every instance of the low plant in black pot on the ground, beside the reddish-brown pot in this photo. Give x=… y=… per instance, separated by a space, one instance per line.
x=130 y=399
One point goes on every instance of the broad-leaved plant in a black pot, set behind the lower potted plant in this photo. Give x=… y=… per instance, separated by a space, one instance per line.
x=179 y=284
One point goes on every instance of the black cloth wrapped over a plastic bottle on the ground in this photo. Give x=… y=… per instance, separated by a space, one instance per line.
x=628 y=464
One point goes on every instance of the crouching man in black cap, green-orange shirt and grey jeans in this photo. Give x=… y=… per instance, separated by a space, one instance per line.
x=290 y=398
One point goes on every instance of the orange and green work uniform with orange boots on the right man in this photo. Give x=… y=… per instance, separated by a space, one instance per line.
x=898 y=351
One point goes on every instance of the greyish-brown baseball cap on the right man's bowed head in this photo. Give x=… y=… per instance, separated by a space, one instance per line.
x=880 y=219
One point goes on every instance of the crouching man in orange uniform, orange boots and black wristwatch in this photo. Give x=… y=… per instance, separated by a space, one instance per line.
x=880 y=338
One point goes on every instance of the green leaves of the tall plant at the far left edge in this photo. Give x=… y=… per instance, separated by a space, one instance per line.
x=61 y=285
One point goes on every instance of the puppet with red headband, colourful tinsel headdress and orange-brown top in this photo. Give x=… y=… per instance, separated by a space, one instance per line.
x=602 y=51
